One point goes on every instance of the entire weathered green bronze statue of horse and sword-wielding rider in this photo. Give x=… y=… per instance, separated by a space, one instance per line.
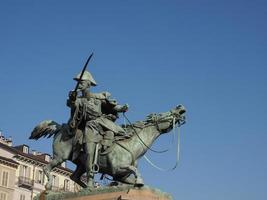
x=95 y=143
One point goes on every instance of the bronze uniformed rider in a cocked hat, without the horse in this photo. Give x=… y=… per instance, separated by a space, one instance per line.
x=94 y=114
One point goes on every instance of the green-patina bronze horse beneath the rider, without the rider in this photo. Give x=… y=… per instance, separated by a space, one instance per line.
x=118 y=161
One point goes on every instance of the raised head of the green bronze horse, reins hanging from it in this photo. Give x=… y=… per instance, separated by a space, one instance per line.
x=166 y=121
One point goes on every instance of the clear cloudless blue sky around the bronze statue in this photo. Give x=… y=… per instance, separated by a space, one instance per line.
x=209 y=56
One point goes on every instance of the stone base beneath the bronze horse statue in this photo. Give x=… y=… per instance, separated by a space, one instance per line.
x=109 y=193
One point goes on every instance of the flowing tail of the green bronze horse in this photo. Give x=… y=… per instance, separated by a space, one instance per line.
x=46 y=128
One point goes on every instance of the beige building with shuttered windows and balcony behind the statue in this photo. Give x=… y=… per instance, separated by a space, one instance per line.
x=22 y=176
